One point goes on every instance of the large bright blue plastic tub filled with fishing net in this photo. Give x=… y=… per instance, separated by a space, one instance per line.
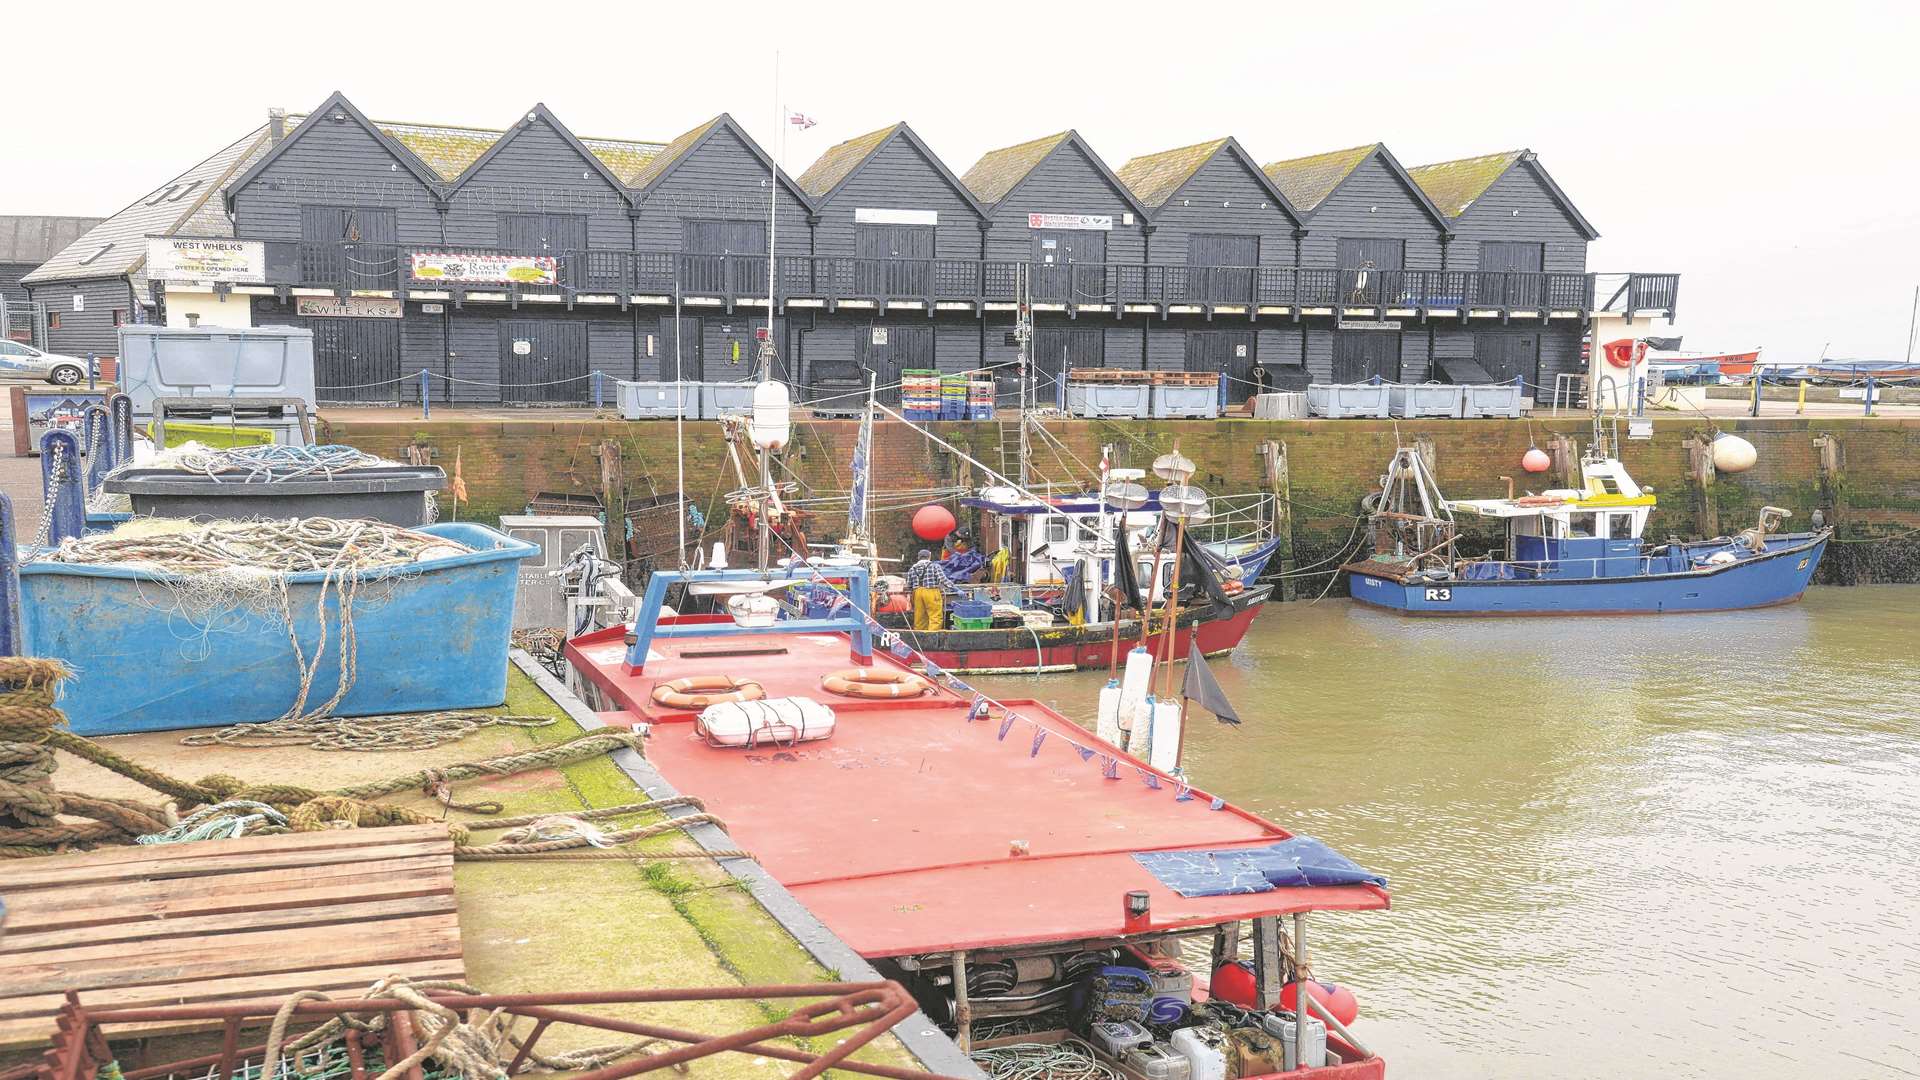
x=431 y=637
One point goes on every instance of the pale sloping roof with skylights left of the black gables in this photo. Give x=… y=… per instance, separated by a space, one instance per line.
x=118 y=245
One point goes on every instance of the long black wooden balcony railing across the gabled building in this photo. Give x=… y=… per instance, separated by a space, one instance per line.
x=953 y=282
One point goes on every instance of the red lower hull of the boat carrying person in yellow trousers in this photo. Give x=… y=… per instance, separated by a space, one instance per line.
x=1080 y=649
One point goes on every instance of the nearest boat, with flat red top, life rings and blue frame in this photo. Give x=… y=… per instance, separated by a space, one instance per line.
x=1028 y=881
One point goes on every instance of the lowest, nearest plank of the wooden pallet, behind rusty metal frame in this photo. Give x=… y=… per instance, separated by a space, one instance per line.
x=37 y=1027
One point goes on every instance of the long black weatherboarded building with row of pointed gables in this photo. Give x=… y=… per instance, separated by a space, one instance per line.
x=514 y=264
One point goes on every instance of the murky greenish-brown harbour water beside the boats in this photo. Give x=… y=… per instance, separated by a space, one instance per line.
x=1662 y=847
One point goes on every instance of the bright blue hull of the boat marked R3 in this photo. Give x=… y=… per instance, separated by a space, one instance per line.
x=1764 y=581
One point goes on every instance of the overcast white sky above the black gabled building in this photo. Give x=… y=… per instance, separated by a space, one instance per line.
x=1767 y=153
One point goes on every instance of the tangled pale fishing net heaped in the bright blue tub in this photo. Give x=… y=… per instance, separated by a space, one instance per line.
x=222 y=572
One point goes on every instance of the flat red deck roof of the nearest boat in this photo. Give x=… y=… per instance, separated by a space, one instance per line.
x=900 y=829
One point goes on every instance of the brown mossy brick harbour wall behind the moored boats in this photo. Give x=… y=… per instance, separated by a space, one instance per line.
x=1863 y=474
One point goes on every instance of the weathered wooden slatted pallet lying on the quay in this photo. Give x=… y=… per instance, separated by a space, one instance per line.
x=224 y=921
